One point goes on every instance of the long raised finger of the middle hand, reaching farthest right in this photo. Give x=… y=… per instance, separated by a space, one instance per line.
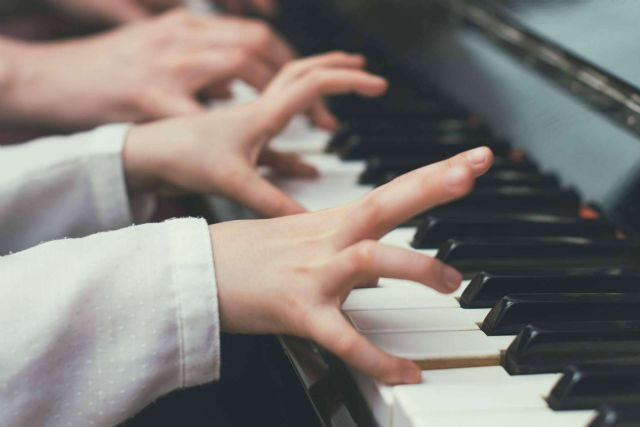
x=277 y=109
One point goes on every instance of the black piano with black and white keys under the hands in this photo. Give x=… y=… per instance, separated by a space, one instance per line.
x=546 y=327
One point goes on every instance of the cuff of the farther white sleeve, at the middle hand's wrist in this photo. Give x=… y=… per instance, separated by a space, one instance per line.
x=108 y=180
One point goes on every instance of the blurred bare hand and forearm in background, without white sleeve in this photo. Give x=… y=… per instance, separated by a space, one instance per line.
x=161 y=67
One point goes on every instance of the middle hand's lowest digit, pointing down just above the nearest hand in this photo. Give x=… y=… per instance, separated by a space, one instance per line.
x=258 y=194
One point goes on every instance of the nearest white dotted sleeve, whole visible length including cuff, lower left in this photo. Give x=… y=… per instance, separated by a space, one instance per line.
x=94 y=329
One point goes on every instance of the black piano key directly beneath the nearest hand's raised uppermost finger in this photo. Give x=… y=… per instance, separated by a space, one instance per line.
x=436 y=229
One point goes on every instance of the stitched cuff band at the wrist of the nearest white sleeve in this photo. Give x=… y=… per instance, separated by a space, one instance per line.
x=196 y=301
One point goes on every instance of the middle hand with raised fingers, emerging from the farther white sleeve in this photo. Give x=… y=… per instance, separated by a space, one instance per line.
x=217 y=152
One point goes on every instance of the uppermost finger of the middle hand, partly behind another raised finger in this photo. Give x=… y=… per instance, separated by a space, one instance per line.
x=301 y=67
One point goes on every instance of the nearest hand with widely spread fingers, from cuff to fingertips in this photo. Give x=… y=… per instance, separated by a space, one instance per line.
x=290 y=275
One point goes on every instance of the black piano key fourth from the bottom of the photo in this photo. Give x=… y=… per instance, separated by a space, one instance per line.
x=514 y=312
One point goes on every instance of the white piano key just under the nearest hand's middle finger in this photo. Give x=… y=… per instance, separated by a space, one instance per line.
x=382 y=298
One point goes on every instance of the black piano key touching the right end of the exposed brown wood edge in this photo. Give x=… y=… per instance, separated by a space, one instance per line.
x=539 y=350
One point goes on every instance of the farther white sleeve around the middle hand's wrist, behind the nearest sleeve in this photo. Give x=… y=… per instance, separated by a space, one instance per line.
x=65 y=187
